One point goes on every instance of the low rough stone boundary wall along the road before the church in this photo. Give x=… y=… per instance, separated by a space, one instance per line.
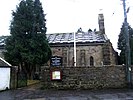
x=86 y=77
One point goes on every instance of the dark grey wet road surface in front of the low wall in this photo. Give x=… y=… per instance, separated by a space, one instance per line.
x=35 y=93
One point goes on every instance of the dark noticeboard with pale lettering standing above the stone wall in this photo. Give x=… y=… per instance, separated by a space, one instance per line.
x=56 y=61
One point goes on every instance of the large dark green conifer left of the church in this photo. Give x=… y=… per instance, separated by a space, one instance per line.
x=27 y=46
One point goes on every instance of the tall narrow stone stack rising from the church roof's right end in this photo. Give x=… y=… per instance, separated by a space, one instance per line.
x=101 y=23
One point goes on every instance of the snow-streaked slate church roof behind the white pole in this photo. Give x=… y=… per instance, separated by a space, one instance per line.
x=79 y=37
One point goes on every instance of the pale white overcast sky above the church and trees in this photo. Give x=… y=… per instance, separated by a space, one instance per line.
x=69 y=15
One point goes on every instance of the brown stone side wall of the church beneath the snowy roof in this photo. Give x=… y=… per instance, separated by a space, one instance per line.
x=102 y=54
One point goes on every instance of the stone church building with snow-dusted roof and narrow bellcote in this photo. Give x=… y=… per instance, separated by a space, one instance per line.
x=93 y=48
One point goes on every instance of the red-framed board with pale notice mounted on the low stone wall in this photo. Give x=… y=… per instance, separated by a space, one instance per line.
x=56 y=75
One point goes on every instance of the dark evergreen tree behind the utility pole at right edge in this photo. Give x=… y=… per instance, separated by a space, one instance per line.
x=122 y=44
